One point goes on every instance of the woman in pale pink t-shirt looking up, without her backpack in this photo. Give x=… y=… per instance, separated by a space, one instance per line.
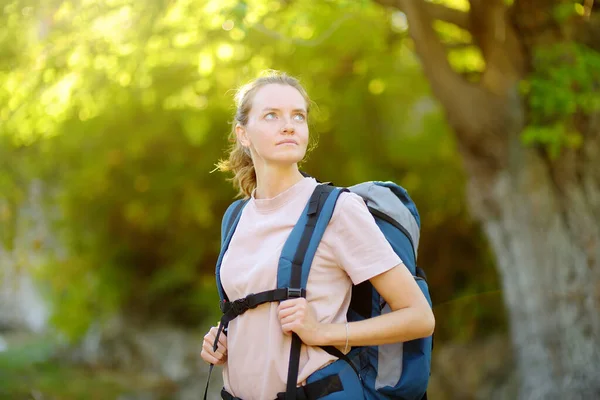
x=271 y=137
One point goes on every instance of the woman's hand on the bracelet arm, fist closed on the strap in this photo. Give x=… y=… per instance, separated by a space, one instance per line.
x=296 y=315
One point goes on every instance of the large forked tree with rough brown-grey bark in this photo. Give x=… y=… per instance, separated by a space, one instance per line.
x=542 y=216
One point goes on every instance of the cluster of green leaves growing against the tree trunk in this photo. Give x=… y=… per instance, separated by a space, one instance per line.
x=564 y=84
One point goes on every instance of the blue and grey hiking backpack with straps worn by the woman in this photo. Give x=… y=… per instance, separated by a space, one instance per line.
x=390 y=371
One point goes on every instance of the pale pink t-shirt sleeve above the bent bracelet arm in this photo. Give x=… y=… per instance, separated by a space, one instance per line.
x=359 y=246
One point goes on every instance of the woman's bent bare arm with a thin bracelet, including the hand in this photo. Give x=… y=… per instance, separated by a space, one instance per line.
x=411 y=317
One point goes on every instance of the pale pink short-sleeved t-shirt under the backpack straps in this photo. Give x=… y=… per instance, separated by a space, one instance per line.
x=352 y=250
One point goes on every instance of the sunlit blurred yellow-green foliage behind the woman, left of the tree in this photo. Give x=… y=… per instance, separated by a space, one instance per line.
x=121 y=108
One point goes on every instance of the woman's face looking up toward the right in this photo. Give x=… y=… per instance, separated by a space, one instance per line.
x=277 y=129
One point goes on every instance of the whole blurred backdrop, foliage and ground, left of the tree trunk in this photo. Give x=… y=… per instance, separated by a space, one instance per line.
x=112 y=116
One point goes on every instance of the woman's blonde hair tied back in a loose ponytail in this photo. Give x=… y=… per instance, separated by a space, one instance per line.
x=239 y=161
